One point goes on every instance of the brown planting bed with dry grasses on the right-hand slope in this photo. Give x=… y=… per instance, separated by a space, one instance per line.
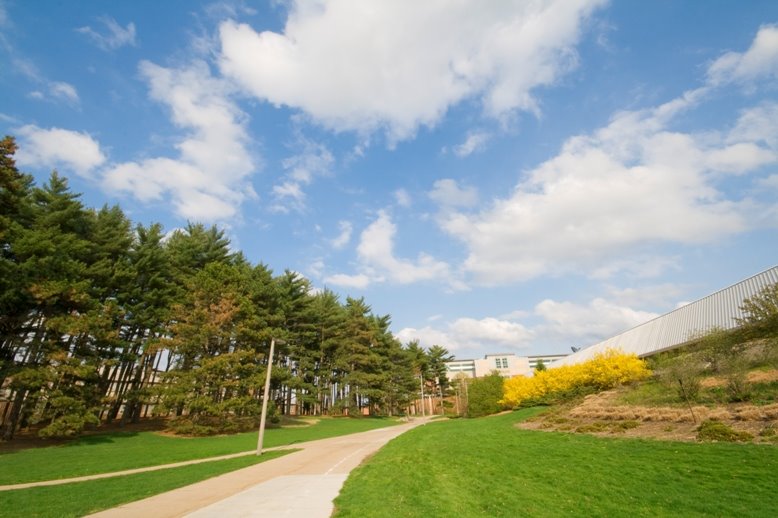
x=601 y=414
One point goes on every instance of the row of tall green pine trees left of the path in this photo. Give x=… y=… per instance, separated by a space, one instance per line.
x=101 y=319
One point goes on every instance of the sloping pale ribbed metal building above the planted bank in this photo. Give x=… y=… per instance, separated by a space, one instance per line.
x=676 y=328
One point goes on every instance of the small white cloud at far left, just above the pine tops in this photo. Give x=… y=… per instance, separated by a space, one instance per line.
x=56 y=147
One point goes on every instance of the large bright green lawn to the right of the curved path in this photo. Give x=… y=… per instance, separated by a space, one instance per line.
x=488 y=467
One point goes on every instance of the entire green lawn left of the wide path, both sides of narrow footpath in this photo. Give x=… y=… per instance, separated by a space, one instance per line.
x=118 y=451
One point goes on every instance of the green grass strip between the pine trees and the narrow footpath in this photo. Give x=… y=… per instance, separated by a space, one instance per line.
x=119 y=451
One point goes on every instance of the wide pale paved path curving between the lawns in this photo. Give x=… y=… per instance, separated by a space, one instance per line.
x=301 y=484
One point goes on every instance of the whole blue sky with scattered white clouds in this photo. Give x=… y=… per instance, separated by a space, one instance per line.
x=498 y=177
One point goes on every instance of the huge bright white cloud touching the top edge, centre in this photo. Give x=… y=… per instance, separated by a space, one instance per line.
x=395 y=66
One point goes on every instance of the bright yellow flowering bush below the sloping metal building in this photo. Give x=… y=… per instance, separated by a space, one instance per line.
x=606 y=370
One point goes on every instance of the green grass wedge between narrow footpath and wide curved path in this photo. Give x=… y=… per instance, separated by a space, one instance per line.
x=82 y=498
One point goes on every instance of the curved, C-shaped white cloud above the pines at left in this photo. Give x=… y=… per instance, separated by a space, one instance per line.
x=209 y=179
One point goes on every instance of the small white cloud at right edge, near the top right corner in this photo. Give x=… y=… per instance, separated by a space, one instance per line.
x=760 y=61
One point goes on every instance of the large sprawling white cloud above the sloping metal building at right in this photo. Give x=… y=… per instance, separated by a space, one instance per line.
x=633 y=183
